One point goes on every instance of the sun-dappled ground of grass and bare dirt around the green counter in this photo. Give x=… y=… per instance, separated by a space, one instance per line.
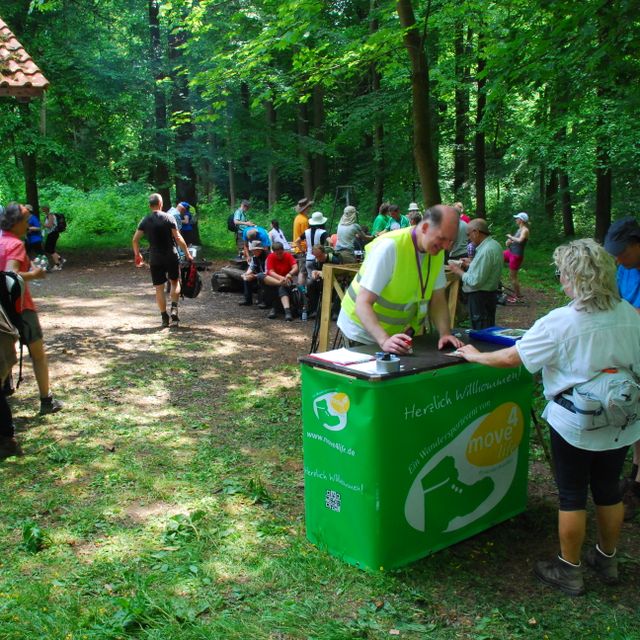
x=170 y=492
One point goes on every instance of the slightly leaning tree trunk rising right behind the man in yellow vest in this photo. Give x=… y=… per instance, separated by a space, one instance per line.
x=420 y=93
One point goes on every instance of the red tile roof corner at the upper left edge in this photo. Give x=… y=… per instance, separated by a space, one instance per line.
x=19 y=74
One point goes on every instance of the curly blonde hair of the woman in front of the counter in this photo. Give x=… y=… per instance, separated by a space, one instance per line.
x=590 y=272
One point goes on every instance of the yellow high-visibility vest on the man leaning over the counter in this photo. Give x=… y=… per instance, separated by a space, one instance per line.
x=401 y=303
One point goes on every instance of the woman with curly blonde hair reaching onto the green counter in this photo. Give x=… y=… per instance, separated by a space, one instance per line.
x=594 y=339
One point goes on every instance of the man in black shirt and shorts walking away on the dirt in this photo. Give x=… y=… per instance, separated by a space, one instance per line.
x=162 y=233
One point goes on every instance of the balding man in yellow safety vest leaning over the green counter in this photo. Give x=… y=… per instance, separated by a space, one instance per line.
x=400 y=282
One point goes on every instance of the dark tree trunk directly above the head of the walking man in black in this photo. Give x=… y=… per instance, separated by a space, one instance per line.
x=160 y=172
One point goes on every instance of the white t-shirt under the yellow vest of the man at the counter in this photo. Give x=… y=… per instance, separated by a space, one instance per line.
x=380 y=264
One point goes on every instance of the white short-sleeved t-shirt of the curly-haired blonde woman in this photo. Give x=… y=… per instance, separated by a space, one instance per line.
x=571 y=347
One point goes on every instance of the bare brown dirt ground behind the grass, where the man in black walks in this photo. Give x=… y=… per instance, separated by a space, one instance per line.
x=101 y=306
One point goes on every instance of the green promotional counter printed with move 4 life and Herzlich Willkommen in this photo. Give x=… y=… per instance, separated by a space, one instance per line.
x=400 y=465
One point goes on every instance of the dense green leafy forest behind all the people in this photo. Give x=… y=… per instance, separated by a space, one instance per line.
x=517 y=105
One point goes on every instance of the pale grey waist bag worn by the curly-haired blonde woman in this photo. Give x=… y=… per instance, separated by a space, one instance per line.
x=611 y=398
